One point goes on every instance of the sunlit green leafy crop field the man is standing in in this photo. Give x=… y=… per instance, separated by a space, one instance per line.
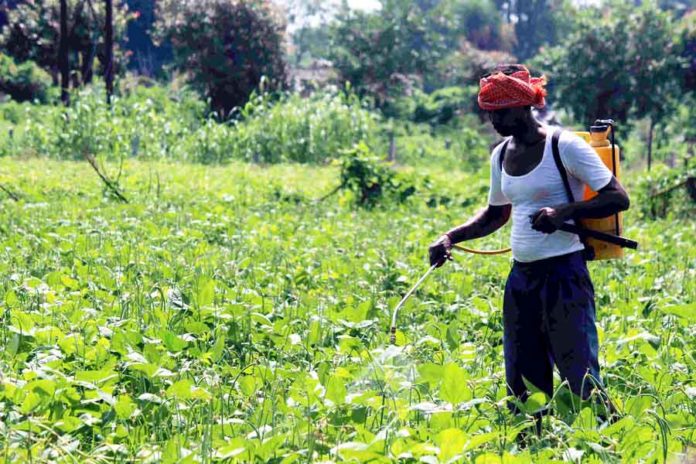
x=224 y=315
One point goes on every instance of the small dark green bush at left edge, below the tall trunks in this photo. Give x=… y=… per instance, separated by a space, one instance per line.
x=24 y=81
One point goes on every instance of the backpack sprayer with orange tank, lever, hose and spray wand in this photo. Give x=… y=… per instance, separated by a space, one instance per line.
x=605 y=245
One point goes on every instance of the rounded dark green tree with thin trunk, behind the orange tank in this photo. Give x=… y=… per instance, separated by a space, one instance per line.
x=620 y=65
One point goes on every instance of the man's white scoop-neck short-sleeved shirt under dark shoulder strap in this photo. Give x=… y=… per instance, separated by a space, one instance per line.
x=542 y=187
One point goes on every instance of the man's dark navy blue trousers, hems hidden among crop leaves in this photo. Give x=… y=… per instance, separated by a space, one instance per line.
x=549 y=318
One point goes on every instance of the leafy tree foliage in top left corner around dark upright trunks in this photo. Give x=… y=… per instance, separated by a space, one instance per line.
x=33 y=32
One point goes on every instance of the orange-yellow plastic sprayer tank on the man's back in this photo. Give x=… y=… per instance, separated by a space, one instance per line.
x=598 y=138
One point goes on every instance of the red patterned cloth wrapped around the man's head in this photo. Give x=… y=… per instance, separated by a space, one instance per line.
x=500 y=90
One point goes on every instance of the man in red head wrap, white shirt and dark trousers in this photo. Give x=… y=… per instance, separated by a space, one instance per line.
x=548 y=306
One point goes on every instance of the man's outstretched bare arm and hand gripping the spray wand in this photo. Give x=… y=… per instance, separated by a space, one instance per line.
x=485 y=222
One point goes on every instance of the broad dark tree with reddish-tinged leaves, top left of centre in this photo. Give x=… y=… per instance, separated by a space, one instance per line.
x=225 y=46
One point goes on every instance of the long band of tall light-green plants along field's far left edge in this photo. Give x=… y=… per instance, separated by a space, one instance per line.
x=154 y=123
